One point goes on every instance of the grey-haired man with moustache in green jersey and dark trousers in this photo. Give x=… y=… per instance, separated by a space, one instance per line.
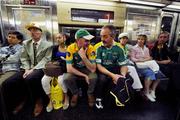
x=110 y=62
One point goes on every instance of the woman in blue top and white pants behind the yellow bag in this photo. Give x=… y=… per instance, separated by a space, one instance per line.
x=59 y=55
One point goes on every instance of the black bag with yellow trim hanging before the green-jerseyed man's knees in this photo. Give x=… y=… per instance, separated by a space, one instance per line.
x=122 y=91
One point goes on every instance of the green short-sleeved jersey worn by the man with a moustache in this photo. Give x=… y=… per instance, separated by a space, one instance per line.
x=110 y=57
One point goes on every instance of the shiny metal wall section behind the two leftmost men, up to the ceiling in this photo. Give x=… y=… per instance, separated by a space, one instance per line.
x=12 y=17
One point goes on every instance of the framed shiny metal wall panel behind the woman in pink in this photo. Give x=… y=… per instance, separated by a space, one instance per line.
x=142 y=21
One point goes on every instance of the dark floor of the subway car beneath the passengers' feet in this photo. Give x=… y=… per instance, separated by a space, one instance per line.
x=162 y=109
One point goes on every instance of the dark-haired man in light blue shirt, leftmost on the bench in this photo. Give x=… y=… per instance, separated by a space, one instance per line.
x=10 y=55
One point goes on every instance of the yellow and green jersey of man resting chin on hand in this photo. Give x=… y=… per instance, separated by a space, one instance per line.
x=72 y=56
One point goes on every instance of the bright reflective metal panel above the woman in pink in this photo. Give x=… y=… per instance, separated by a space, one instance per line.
x=142 y=24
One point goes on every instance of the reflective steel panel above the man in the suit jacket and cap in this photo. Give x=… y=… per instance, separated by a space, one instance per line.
x=16 y=17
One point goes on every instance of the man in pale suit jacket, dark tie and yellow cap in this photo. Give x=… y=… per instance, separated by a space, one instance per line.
x=36 y=53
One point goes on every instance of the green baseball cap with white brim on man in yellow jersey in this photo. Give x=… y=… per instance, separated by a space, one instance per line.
x=82 y=33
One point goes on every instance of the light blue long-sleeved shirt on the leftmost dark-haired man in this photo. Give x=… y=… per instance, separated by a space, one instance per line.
x=10 y=57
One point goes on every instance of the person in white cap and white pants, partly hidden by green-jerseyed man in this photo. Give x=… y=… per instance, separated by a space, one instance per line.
x=123 y=39
